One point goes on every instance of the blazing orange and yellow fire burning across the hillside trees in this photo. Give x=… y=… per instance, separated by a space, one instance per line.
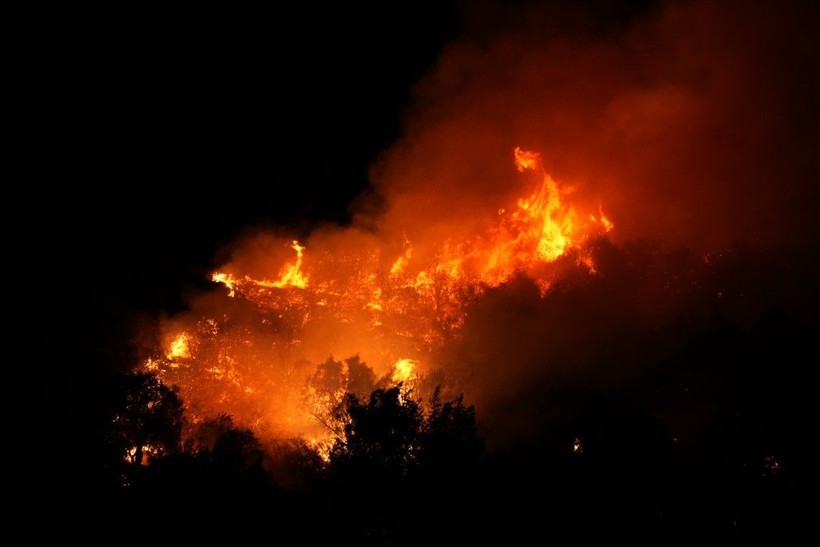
x=275 y=353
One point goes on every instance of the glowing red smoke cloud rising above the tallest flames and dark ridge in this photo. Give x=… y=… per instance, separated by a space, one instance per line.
x=692 y=122
